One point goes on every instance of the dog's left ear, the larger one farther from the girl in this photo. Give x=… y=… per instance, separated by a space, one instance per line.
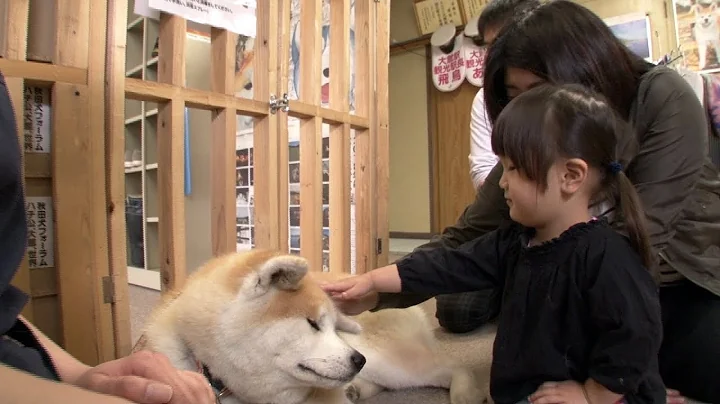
x=282 y=272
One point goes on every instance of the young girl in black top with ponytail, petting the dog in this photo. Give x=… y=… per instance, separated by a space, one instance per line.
x=580 y=319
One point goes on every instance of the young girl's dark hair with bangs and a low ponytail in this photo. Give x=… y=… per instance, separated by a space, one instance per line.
x=550 y=122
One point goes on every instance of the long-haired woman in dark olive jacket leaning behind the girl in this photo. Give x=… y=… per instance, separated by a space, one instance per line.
x=667 y=161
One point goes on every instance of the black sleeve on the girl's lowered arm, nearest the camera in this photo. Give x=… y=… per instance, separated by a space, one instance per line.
x=625 y=312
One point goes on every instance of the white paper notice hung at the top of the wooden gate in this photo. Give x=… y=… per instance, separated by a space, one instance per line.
x=232 y=15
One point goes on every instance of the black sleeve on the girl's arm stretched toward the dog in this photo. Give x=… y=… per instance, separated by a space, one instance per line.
x=475 y=265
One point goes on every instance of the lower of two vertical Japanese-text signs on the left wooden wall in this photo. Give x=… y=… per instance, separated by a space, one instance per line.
x=40 y=243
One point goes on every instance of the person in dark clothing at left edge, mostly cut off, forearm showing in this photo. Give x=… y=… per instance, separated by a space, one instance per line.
x=33 y=369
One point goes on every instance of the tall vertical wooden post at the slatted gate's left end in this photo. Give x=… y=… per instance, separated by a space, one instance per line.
x=115 y=172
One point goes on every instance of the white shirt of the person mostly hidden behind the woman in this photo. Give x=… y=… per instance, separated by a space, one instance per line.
x=482 y=159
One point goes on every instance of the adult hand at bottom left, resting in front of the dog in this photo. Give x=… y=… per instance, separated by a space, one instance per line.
x=147 y=378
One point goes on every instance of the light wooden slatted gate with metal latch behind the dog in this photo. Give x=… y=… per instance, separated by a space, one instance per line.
x=370 y=121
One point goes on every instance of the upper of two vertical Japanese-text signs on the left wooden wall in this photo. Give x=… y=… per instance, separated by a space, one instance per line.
x=36 y=117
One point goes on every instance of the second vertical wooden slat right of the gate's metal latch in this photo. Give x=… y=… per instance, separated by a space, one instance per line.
x=339 y=166
